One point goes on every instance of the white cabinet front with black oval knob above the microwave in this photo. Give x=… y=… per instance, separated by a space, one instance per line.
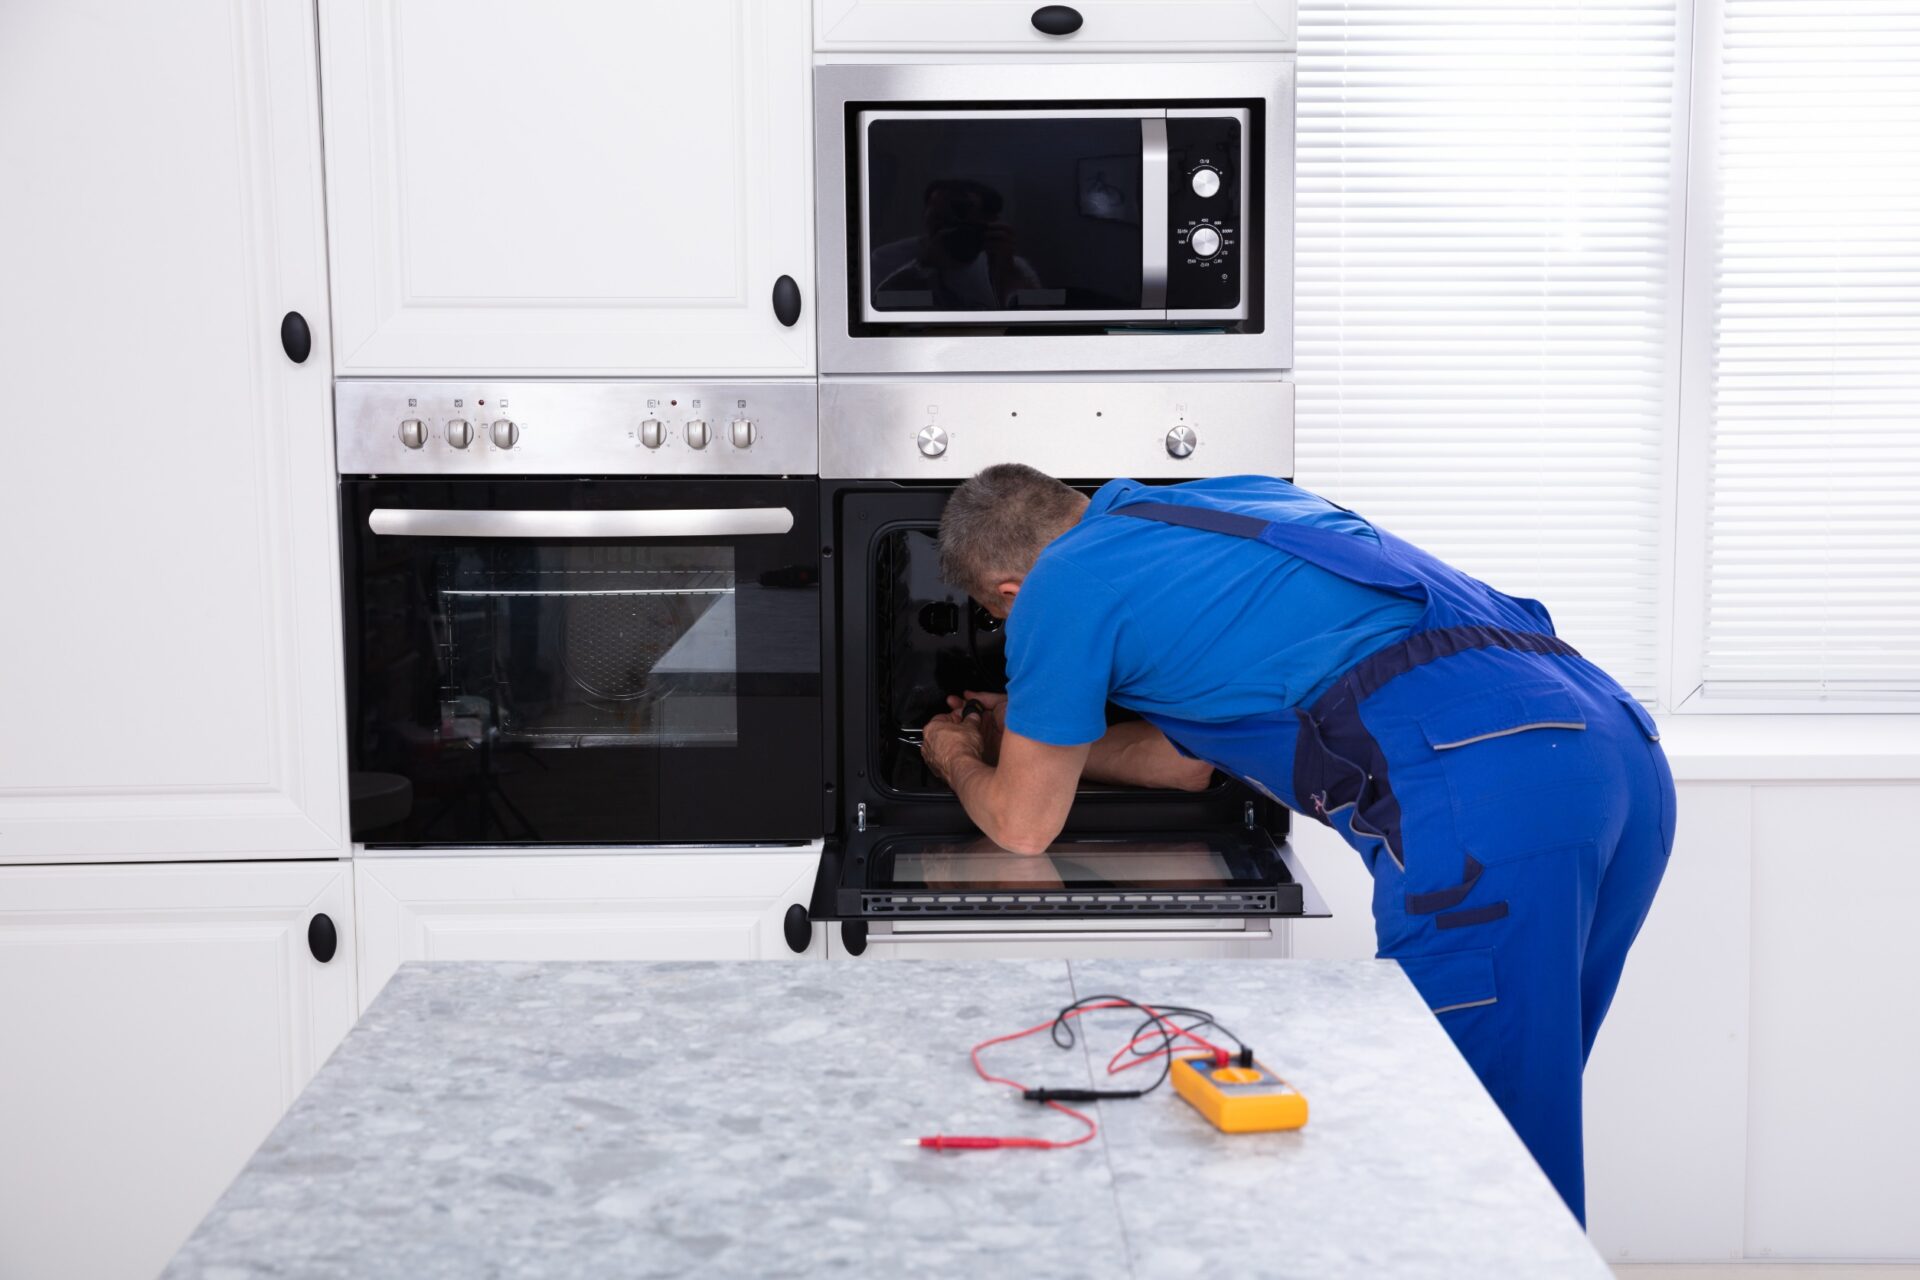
x=1107 y=26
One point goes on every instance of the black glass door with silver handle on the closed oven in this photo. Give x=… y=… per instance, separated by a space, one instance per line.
x=583 y=661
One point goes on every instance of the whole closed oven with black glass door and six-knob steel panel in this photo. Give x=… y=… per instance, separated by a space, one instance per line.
x=581 y=613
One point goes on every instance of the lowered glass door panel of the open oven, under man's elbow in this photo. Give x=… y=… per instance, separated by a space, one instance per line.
x=1170 y=874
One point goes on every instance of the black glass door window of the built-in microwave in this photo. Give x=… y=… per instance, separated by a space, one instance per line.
x=1003 y=214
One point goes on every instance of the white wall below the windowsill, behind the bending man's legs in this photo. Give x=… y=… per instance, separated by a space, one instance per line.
x=1756 y=1093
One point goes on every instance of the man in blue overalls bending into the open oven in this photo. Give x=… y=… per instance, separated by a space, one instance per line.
x=1508 y=795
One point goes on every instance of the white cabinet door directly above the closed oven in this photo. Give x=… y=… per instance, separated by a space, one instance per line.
x=590 y=189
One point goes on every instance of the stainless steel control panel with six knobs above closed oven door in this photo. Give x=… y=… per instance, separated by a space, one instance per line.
x=579 y=429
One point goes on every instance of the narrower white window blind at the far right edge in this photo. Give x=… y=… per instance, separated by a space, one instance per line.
x=1813 y=496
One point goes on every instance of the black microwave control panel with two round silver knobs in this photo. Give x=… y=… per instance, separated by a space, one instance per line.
x=1207 y=212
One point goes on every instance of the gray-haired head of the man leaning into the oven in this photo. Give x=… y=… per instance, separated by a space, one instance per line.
x=997 y=523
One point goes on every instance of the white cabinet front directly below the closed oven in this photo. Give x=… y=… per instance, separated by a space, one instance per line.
x=711 y=905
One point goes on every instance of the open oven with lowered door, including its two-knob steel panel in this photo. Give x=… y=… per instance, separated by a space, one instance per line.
x=901 y=861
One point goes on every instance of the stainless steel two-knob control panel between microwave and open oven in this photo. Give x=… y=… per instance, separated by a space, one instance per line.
x=1076 y=431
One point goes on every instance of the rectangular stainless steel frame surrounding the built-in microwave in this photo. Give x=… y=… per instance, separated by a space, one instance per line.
x=1032 y=80
